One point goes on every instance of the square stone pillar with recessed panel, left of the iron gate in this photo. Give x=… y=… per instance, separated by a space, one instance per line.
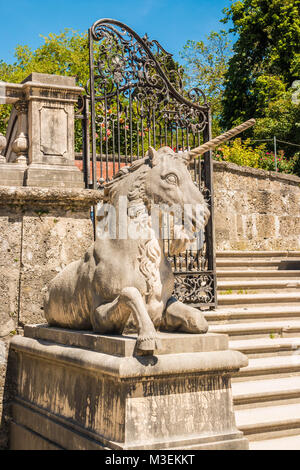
x=51 y=157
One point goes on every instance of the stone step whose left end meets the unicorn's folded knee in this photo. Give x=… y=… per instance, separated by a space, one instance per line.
x=258 y=330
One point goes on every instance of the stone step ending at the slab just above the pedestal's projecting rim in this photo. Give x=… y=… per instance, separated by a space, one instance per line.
x=264 y=347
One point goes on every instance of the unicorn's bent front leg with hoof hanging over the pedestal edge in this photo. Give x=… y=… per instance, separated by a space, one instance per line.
x=112 y=317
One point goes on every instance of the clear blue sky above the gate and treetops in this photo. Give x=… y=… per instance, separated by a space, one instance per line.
x=170 y=22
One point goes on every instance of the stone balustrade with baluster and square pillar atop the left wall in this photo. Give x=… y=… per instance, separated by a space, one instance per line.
x=39 y=148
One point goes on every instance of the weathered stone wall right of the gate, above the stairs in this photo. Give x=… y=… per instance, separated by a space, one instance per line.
x=255 y=209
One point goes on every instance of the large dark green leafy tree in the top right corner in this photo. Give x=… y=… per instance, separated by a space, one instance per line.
x=266 y=57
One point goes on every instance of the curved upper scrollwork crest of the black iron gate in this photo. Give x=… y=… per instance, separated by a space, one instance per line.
x=127 y=63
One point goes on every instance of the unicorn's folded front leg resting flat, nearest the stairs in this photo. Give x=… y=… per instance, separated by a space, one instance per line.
x=182 y=317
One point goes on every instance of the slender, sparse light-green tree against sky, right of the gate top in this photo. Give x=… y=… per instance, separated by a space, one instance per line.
x=205 y=65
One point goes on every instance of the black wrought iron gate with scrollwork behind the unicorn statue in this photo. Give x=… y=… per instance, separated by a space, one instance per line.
x=136 y=99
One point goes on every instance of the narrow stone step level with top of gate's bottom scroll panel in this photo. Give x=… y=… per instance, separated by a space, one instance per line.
x=251 y=274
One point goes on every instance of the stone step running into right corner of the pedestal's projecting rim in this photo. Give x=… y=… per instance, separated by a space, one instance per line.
x=270 y=367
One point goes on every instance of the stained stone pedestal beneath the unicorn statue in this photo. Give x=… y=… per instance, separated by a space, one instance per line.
x=81 y=390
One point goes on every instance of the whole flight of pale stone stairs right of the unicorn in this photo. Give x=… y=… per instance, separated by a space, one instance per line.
x=259 y=308
